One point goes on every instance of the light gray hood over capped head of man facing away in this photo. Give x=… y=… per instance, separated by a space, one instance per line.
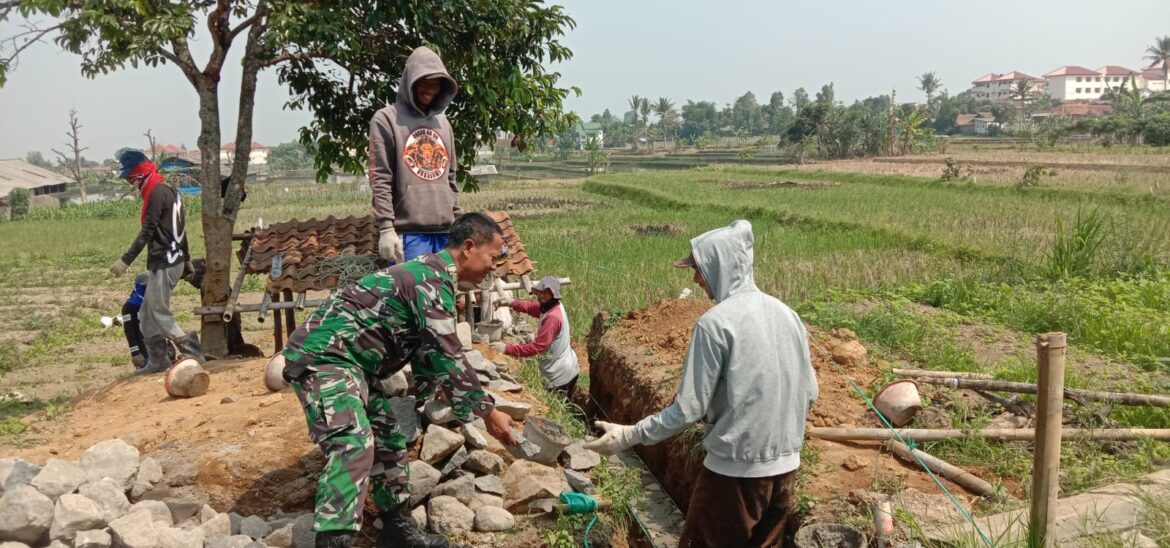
x=726 y=258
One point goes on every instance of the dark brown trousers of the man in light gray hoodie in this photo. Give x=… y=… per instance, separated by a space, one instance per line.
x=737 y=512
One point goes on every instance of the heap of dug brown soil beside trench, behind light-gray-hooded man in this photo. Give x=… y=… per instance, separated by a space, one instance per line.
x=636 y=366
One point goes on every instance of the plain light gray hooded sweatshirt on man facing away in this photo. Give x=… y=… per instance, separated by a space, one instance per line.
x=747 y=375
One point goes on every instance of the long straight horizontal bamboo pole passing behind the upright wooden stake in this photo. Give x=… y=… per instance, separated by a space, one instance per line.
x=999 y=435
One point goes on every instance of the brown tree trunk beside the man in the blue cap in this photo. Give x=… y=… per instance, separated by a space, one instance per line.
x=217 y=228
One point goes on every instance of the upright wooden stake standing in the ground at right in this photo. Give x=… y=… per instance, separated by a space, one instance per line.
x=1050 y=352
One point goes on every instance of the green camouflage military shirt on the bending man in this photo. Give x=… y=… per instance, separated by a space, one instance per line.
x=405 y=313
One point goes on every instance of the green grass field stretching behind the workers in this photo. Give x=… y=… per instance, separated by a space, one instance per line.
x=845 y=246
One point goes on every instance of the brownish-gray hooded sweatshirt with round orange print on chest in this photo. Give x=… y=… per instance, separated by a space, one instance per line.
x=412 y=154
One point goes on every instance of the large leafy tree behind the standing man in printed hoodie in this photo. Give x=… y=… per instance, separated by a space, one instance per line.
x=342 y=60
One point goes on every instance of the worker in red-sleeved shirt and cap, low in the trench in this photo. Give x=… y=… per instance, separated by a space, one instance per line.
x=560 y=367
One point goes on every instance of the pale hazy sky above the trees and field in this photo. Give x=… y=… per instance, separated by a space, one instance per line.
x=684 y=50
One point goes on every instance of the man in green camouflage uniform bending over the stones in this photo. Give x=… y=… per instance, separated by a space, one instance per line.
x=364 y=334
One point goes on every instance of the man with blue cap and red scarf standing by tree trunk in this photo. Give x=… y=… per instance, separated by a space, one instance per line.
x=166 y=238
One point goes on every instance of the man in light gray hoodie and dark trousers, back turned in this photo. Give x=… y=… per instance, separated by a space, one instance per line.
x=749 y=378
